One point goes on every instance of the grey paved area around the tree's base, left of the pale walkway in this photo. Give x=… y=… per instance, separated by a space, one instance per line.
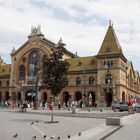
x=18 y=122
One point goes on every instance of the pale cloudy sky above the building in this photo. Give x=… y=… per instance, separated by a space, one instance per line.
x=82 y=24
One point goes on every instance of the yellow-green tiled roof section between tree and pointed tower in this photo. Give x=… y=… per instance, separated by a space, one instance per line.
x=82 y=63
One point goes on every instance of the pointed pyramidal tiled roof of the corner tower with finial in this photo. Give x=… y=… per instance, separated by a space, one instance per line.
x=110 y=43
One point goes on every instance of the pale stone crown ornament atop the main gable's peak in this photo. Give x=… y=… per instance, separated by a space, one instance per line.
x=36 y=31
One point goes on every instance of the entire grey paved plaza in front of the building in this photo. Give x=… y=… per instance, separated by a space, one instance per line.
x=33 y=123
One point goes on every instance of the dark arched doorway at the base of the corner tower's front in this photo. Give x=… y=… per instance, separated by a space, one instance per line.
x=108 y=97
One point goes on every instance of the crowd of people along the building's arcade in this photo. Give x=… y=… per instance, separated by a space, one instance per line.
x=23 y=105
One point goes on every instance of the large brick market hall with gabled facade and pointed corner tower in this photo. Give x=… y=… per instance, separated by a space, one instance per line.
x=105 y=77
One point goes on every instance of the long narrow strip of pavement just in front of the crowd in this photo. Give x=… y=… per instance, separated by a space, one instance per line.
x=79 y=113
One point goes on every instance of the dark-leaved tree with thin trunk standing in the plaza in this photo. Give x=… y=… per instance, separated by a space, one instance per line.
x=55 y=73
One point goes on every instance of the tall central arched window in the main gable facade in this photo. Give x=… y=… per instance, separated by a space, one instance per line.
x=33 y=62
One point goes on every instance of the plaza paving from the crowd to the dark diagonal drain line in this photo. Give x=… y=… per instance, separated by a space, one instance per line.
x=91 y=124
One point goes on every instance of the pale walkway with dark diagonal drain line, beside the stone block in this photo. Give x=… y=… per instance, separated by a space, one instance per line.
x=129 y=130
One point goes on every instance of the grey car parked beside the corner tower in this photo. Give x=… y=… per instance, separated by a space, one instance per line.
x=120 y=106
